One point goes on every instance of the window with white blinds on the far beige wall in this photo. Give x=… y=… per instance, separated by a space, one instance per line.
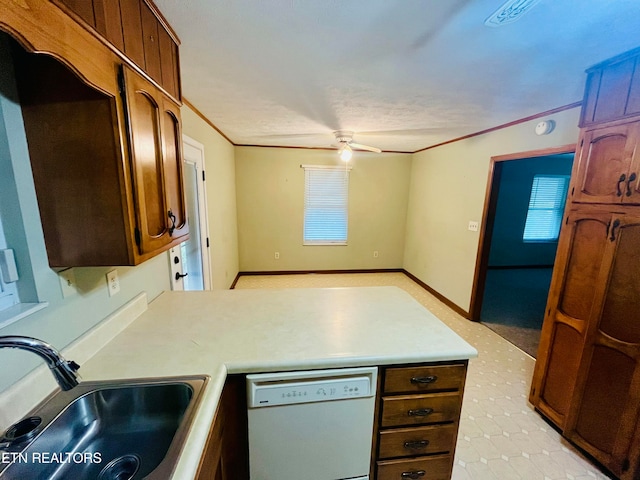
x=326 y=194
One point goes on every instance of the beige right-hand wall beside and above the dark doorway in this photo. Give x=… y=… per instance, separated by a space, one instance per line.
x=448 y=186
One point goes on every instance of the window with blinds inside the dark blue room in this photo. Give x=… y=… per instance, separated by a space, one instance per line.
x=546 y=205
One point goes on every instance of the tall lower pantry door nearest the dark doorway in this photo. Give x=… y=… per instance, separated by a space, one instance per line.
x=581 y=250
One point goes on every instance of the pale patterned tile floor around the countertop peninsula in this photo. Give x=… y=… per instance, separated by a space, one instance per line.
x=501 y=437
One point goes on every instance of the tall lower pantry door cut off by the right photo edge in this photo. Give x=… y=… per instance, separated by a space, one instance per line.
x=606 y=406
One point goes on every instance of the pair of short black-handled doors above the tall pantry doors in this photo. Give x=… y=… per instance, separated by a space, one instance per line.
x=606 y=168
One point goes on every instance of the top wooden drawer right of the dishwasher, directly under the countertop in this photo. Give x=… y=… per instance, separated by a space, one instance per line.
x=424 y=379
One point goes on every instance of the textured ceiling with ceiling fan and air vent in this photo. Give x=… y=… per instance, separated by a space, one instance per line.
x=402 y=74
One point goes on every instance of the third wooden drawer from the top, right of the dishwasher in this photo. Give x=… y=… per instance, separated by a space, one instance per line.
x=409 y=442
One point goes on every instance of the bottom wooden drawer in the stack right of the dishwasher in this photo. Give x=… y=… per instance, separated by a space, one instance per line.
x=437 y=467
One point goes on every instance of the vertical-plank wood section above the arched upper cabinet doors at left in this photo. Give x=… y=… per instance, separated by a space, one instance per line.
x=135 y=28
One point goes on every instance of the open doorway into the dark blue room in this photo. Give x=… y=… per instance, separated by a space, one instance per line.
x=513 y=272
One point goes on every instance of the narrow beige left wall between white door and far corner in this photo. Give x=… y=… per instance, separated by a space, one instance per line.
x=221 y=197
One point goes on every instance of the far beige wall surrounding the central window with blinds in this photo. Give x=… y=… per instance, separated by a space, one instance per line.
x=270 y=196
